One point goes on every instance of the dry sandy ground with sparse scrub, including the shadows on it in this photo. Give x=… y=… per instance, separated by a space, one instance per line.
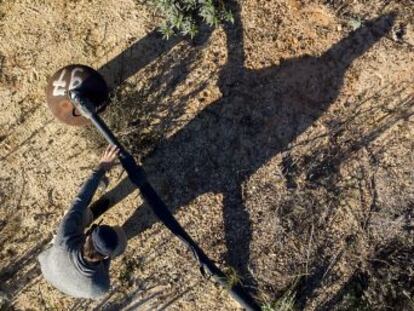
x=283 y=144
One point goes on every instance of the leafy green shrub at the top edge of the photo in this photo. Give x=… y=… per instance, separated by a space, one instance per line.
x=185 y=16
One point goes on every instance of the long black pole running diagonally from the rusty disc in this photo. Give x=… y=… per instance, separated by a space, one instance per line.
x=137 y=175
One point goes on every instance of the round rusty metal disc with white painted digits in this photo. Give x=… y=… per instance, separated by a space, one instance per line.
x=87 y=80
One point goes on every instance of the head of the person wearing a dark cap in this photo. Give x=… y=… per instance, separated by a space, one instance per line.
x=102 y=242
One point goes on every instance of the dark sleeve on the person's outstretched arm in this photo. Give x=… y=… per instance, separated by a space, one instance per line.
x=78 y=216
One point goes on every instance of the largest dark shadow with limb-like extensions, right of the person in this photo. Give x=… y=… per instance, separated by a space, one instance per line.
x=259 y=114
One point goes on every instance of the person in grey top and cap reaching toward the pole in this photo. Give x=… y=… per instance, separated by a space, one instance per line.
x=77 y=263
